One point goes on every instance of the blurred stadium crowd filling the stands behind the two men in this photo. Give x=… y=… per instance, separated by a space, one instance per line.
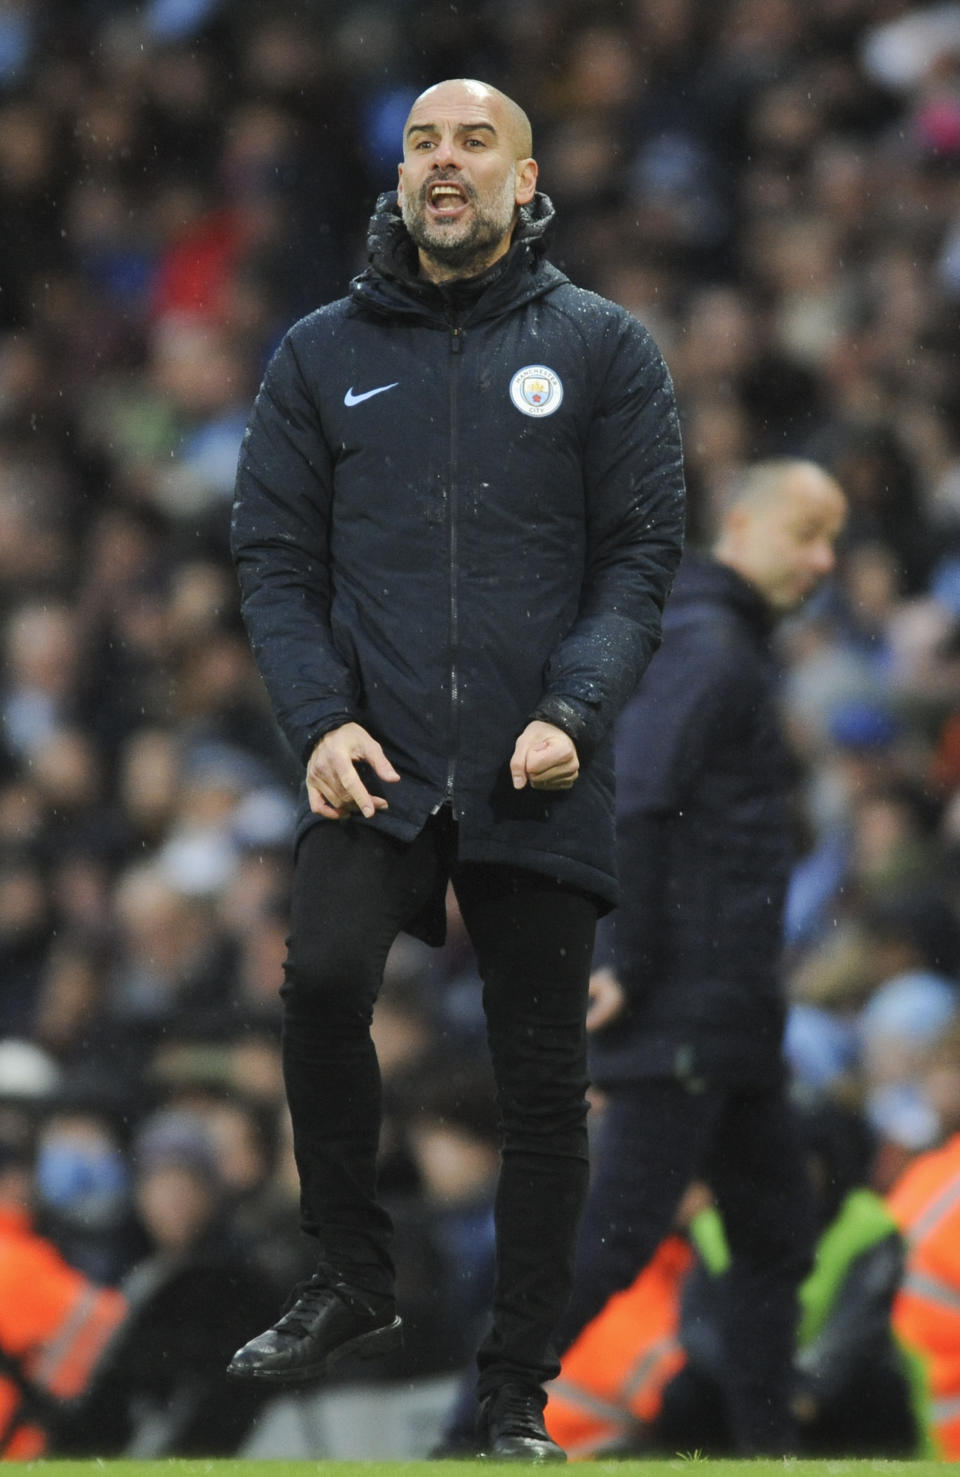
x=776 y=191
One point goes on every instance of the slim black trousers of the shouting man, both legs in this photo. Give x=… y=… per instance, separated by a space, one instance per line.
x=354 y=891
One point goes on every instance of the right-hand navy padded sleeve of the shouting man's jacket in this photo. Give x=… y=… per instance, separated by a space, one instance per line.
x=634 y=498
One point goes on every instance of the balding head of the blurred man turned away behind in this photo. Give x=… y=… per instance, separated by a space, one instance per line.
x=781 y=528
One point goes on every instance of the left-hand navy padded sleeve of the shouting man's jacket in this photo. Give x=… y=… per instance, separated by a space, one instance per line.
x=280 y=540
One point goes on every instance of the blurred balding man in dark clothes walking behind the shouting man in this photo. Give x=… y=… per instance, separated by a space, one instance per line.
x=688 y=1024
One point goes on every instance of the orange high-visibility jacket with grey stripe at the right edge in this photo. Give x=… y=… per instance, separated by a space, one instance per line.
x=925 y=1204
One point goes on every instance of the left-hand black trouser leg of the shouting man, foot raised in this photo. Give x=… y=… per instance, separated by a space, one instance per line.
x=354 y=891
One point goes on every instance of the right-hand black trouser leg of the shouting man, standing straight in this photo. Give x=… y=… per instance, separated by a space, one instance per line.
x=534 y=943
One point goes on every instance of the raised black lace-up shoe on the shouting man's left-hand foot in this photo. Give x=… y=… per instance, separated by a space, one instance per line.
x=327 y=1323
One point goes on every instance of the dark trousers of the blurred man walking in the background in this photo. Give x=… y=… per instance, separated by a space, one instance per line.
x=656 y=1138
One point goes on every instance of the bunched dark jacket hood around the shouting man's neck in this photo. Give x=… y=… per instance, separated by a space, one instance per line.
x=394 y=261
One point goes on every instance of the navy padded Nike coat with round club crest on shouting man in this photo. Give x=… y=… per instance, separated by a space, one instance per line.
x=441 y=547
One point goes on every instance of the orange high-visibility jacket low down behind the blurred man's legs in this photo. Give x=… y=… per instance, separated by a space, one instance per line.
x=618 y=1368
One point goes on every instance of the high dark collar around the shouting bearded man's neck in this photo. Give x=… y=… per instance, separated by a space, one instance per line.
x=392 y=283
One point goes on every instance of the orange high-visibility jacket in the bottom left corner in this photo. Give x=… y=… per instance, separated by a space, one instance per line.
x=55 y=1326
